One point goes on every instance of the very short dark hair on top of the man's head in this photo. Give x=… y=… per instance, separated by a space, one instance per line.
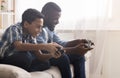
x=49 y=7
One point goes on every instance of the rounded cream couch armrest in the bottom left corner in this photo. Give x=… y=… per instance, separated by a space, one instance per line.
x=9 y=71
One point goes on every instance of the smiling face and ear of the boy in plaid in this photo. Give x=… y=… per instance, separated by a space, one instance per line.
x=35 y=27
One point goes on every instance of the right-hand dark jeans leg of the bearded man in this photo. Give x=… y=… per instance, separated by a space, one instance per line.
x=78 y=63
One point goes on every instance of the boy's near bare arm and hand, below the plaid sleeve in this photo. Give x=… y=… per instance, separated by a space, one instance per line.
x=35 y=47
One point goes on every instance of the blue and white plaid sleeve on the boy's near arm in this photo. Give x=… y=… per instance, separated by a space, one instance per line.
x=11 y=35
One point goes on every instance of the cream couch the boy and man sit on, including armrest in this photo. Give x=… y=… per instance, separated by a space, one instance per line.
x=10 y=71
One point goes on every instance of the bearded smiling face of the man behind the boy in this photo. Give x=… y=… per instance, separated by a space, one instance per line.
x=52 y=19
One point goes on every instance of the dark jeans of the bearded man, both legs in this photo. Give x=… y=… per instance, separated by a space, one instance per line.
x=63 y=64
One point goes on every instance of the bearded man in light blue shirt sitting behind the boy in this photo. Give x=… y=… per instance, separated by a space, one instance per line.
x=74 y=55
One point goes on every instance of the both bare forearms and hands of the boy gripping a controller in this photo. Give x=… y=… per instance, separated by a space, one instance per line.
x=36 y=49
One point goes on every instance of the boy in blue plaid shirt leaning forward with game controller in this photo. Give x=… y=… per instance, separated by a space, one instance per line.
x=19 y=46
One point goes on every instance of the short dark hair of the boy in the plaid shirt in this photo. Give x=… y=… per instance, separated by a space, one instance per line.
x=30 y=15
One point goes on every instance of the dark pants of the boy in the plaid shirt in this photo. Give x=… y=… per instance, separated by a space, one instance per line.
x=27 y=61
